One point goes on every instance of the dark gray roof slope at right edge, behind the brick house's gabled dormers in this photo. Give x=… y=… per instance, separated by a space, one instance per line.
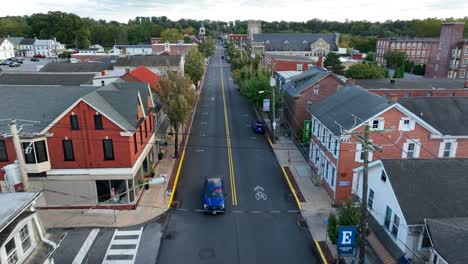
x=449 y=115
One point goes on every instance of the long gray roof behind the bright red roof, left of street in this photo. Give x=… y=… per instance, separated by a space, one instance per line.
x=148 y=60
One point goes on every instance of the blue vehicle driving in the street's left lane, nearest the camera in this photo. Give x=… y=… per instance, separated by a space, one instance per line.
x=213 y=196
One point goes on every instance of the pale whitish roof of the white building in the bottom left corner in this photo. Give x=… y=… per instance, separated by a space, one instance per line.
x=13 y=204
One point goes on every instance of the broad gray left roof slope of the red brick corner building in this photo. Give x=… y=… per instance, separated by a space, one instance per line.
x=38 y=103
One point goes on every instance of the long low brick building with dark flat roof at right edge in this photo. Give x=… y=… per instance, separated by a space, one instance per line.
x=414 y=87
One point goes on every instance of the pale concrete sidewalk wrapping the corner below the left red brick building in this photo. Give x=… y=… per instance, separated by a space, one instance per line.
x=152 y=204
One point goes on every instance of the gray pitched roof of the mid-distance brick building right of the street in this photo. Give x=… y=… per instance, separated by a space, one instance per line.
x=299 y=83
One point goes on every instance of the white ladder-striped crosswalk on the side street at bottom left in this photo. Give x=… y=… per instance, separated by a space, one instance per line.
x=123 y=247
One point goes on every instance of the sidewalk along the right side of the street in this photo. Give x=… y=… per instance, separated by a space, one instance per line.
x=317 y=205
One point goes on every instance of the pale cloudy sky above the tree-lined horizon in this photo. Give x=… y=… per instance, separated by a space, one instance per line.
x=228 y=10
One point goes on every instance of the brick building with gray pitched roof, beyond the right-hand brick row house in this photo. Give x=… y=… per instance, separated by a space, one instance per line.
x=310 y=87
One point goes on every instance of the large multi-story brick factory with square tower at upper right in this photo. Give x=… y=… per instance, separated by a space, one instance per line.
x=445 y=57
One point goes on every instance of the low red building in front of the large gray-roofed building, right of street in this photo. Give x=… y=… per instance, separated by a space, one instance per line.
x=287 y=63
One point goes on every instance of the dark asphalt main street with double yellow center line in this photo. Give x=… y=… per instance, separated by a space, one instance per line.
x=253 y=231
